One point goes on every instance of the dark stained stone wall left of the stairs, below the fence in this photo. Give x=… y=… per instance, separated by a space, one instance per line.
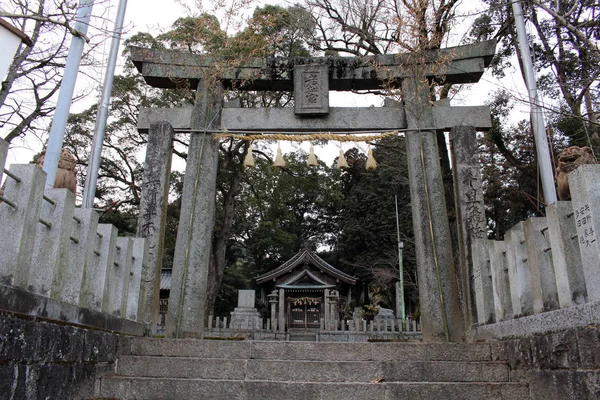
x=45 y=360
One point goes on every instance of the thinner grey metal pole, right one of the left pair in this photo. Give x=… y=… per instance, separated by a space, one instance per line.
x=89 y=190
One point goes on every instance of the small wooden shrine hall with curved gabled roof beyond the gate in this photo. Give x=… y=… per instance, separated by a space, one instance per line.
x=305 y=290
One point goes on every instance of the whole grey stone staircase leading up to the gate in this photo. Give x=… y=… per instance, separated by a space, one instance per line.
x=203 y=369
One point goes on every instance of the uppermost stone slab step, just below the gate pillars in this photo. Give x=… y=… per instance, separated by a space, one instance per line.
x=319 y=351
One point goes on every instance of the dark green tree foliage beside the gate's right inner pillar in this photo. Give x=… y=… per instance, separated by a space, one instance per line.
x=368 y=245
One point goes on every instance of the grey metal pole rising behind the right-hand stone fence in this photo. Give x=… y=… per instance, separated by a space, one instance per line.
x=537 y=119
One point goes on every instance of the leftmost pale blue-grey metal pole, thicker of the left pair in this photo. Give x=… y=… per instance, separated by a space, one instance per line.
x=65 y=95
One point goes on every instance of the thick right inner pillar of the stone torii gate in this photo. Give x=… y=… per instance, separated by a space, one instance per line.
x=438 y=292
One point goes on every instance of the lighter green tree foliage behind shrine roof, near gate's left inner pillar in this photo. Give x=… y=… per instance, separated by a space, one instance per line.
x=280 y=210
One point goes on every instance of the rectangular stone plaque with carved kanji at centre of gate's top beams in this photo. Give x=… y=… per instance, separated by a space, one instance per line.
x=311 y=90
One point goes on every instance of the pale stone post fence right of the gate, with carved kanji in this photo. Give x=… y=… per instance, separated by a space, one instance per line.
x=545 y=275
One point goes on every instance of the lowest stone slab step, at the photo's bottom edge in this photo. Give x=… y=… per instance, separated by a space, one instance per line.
x=174 y=389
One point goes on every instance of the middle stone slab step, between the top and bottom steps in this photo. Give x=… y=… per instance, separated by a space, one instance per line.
x=312 y=371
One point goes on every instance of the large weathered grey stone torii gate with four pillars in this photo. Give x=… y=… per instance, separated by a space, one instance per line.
x=444 y=288
